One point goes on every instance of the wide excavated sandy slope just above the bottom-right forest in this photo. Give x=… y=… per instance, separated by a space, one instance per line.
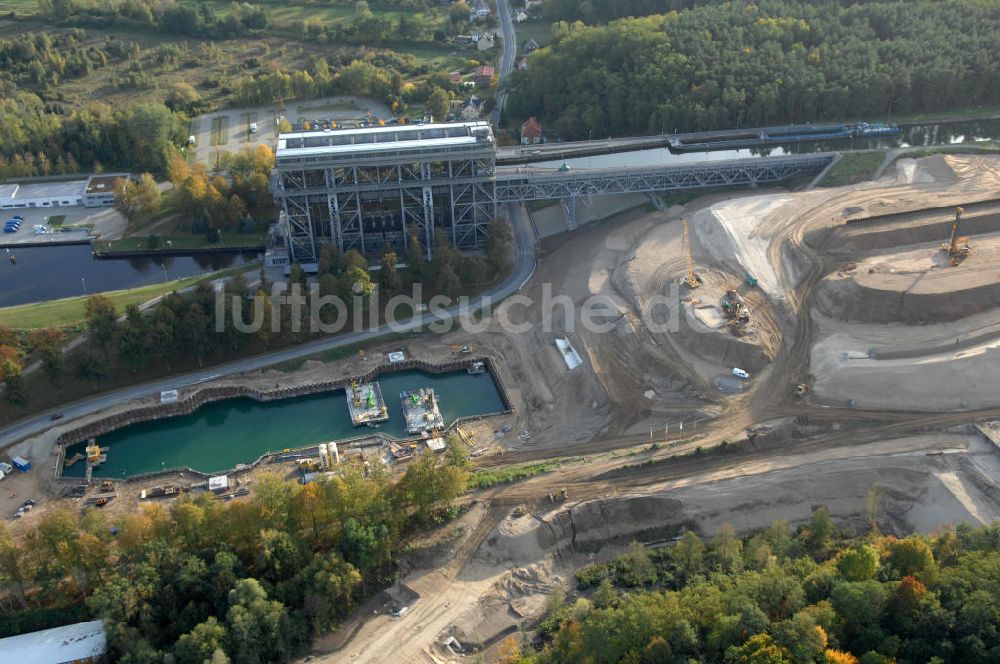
x=927 y=481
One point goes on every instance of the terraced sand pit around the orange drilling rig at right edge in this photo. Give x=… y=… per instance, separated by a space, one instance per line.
x=915 y=286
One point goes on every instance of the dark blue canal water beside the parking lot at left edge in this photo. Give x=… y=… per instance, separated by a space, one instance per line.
x=49 y=273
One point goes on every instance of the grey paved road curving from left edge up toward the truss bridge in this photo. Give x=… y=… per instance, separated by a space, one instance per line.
x=524 y=267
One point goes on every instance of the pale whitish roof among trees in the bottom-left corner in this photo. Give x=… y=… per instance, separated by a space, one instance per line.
x=68 y=643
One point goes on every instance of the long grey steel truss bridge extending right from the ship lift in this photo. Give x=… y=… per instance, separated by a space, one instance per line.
x=568 y=186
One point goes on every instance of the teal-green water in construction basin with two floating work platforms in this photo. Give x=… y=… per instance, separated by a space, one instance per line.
x=220 y=435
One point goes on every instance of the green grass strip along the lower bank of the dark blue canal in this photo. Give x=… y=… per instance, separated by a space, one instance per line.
x=70 y=311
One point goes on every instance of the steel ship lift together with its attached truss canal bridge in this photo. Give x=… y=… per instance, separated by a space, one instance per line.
x=371 y=188
